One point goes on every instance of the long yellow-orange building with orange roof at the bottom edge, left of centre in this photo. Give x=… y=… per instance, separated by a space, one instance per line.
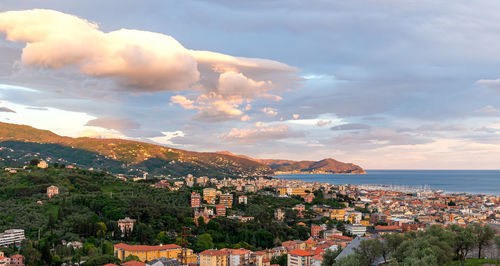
x=148 y=253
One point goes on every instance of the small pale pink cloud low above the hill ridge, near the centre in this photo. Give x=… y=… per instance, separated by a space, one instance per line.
x=261 y=132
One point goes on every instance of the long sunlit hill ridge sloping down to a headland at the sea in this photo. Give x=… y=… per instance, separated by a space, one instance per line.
x=20 y=143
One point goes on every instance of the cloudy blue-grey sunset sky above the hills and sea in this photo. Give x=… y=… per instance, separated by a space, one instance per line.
x=384 y=84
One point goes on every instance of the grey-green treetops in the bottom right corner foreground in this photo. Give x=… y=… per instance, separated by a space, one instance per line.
x=435 y=246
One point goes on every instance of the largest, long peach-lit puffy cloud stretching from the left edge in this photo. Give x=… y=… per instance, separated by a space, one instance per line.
x=147 y=62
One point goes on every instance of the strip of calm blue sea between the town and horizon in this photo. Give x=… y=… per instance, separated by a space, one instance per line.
x=450 y=181
